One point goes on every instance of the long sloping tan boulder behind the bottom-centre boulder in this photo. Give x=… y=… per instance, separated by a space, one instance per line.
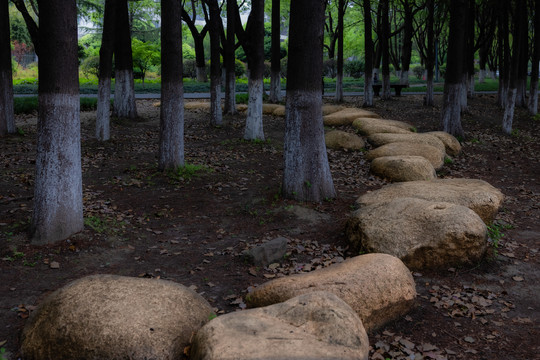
x=378 y=287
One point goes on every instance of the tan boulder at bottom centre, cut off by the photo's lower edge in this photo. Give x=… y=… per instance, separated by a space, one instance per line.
x=313 y=326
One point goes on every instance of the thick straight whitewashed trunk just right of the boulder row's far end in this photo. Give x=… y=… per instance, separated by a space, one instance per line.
x=451 y=111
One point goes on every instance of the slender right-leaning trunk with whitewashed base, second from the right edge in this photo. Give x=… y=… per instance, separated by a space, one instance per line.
x=520 y=18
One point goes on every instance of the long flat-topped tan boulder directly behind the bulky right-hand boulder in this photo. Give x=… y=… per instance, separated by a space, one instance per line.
x=477 y=195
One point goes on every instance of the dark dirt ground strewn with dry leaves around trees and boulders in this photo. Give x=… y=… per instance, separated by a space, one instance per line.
x=191 y=227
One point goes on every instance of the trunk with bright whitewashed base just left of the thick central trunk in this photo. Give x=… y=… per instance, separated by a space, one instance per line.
x=254 y=120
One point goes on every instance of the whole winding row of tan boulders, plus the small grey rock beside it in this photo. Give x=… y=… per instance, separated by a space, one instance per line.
x=323 y=314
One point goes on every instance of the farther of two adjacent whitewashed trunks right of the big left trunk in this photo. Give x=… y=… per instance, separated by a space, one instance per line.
x=124 y=89
